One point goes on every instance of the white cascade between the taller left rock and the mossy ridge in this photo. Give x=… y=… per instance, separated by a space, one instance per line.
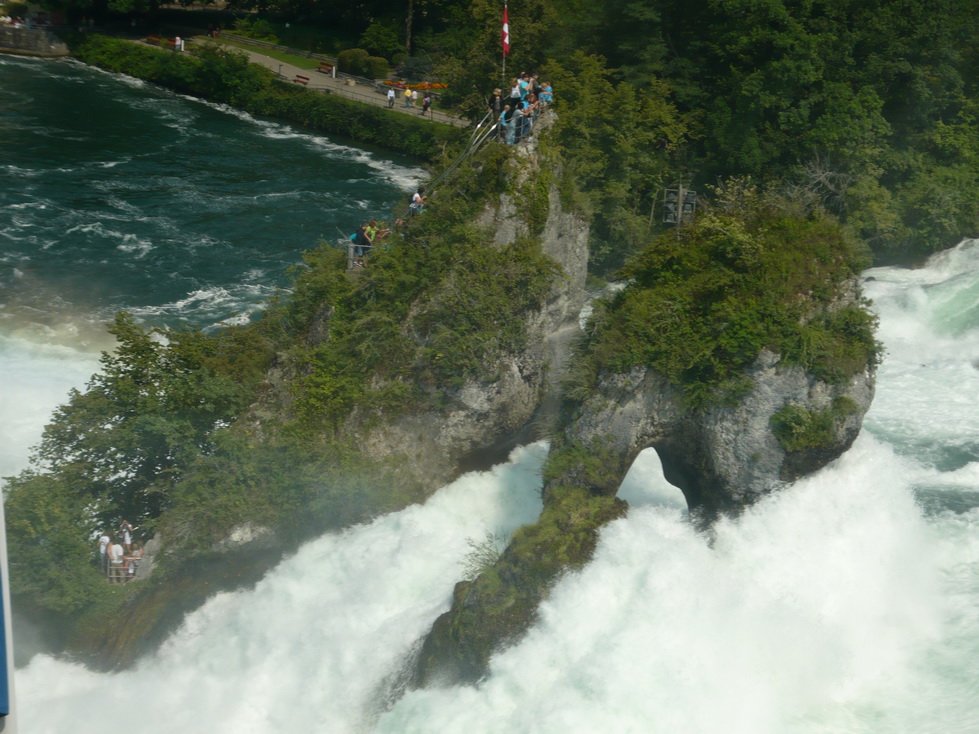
x=312 y=646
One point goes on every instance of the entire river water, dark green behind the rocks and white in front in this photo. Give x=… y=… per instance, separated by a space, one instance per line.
x=847 y=603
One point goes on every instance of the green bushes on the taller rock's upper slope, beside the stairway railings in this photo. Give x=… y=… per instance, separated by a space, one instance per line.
x=439 y=303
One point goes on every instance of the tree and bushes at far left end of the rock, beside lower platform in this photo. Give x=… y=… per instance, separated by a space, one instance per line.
x=118 y=449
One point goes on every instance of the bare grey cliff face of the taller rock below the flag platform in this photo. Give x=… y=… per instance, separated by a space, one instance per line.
x=484 y=420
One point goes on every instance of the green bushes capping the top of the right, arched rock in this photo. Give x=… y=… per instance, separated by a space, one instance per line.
x=704 y=300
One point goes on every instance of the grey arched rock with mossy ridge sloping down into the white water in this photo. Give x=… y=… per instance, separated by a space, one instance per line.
x=723 y=457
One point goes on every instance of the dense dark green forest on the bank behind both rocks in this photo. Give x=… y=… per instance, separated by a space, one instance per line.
x=870 y=106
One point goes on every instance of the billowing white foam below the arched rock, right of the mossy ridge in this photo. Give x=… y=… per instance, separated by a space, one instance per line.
x=822 y=598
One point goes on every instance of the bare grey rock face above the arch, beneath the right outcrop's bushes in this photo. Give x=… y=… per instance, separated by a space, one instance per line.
x=728 y=456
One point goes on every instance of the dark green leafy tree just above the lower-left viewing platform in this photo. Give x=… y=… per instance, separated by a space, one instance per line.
x=153 y=406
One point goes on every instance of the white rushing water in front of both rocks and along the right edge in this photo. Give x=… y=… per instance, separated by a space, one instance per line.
x=848 y=603
